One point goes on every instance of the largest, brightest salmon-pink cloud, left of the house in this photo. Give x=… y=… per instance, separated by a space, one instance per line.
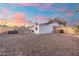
x=19 y=17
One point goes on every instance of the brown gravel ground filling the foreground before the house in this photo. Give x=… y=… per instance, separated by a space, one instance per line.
x=30 y=44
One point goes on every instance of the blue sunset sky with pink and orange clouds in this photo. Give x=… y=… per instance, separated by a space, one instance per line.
x=39 y=12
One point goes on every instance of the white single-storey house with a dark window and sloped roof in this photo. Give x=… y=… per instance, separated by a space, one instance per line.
x=43 y=28
